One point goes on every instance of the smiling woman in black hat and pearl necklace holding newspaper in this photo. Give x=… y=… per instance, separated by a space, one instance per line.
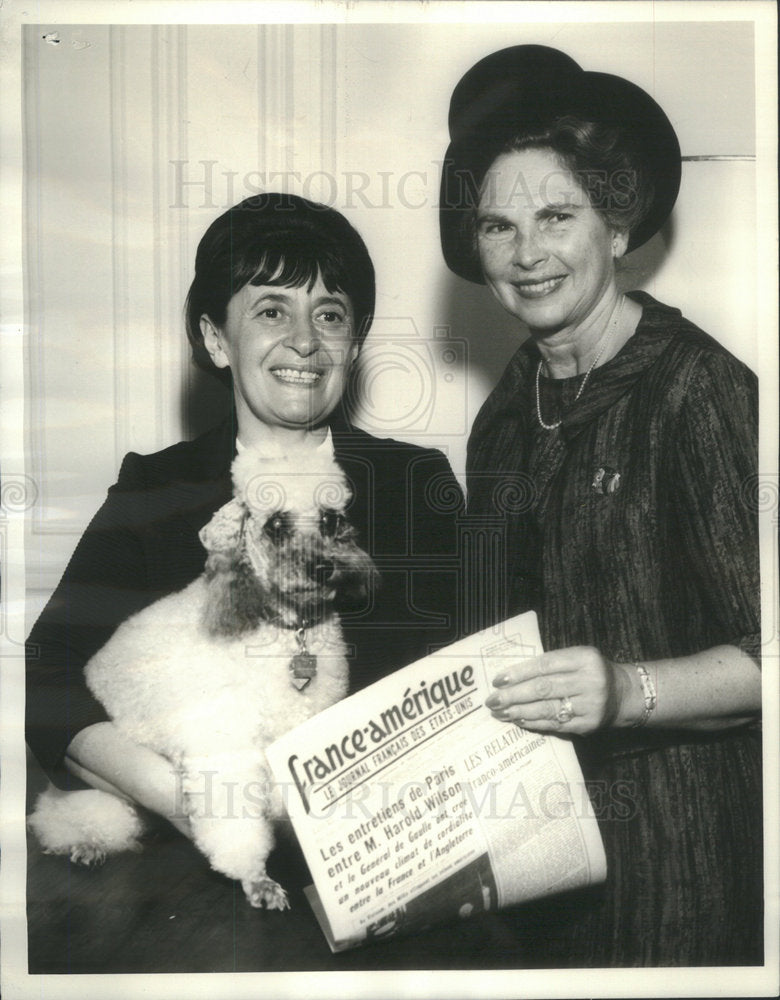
x=631 y=436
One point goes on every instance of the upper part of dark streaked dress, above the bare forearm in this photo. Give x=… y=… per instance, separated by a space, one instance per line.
x=636 y=530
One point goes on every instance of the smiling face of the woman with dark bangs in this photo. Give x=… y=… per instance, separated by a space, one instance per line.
x=289 y=351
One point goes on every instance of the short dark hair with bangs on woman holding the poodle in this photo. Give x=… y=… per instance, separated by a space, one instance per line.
x=277 y=239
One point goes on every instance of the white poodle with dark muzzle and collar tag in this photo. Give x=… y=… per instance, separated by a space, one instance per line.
x=210 y=676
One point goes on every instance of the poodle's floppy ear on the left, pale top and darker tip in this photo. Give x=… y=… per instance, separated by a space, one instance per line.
x=234 y=599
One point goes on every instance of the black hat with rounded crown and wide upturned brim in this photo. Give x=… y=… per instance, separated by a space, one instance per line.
x=528 y=87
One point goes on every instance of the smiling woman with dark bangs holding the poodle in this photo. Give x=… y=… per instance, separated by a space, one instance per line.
x=281 y=301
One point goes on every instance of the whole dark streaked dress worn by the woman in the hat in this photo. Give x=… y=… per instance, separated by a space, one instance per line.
x=633 y=528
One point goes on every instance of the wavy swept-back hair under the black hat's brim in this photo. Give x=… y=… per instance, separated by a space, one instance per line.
x=603 y=163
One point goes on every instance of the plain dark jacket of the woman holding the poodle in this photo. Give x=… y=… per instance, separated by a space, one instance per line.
x=143 y=544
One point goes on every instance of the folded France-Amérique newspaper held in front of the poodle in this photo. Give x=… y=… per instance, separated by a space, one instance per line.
x=414 y=805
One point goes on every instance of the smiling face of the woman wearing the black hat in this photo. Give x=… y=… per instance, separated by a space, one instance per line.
x=546 y=253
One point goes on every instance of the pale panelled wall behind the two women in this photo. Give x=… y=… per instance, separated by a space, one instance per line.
x=137 y=137
